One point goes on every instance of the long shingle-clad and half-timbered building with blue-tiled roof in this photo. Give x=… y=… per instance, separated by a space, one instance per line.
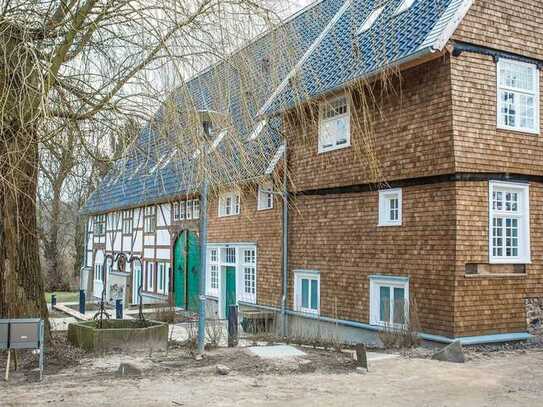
x=412 y=154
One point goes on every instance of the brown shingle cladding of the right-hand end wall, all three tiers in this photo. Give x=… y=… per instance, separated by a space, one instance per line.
x=487 y=304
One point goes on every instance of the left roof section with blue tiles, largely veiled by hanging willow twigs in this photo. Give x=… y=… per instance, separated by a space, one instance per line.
x=236 y=88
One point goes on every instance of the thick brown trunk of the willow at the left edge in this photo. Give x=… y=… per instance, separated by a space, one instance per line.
x=22 y=286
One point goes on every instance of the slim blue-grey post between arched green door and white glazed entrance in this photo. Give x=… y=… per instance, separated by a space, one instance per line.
x=203 y=268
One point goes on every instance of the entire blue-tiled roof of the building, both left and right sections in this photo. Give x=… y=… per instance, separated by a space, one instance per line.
x=316 y=52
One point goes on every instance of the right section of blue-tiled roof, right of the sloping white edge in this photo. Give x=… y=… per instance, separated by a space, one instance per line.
x=345 y=54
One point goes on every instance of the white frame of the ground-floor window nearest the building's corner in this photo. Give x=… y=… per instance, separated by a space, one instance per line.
x=378 y=281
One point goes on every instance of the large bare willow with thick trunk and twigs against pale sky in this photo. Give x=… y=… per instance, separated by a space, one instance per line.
x=66 y=64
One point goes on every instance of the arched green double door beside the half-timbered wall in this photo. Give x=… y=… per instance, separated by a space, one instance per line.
x=186 y=271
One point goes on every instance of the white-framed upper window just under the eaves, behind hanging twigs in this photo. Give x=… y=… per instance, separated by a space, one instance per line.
x=334 y=124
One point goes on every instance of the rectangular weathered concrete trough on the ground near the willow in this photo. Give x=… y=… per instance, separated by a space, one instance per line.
x=119 y=335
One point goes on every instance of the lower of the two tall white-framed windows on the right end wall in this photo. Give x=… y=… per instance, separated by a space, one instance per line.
x=509 y=224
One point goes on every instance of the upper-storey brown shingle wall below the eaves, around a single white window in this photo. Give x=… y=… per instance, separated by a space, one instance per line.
x=412 y=135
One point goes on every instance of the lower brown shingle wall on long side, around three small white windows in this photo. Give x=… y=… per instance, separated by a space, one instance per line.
x=338 y=236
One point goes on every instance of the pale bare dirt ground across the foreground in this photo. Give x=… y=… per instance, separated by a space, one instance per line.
x=510 y=377
